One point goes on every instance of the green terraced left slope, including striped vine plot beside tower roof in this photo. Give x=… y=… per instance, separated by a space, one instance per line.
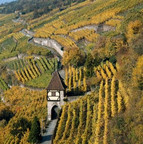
x=15 y=50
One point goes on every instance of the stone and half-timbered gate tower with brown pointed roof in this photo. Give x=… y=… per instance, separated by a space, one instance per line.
x=55 y=96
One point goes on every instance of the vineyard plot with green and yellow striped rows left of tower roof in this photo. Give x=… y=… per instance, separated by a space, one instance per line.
x=31 y=69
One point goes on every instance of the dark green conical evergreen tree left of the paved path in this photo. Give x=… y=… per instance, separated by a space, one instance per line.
x=34 y=135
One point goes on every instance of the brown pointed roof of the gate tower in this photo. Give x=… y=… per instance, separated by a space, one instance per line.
x=56 y=82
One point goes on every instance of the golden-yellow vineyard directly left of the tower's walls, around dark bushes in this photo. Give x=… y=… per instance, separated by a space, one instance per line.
x=26 y=104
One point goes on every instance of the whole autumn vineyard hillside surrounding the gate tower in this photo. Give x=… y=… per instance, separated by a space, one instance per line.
x=103 y=55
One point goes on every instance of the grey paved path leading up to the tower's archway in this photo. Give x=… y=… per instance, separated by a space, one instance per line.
x=47 y=136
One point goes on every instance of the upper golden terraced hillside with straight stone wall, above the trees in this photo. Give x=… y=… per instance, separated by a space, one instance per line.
x=80 y=27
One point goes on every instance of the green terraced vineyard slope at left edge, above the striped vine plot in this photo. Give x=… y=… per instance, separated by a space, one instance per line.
x=13 y=42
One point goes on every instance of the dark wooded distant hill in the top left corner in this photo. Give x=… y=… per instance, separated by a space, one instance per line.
x=39 y=7
